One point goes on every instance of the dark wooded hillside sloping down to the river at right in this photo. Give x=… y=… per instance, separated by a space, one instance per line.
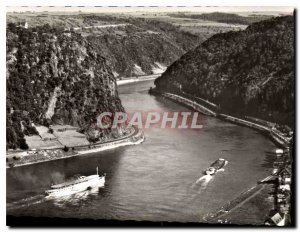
x=249 y=72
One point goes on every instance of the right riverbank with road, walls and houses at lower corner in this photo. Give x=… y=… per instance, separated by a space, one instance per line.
x=265 y=201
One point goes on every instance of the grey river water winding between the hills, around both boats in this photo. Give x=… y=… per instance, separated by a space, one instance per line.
x=159 y=180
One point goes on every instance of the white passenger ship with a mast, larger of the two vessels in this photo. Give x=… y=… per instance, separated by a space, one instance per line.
x=80 y=184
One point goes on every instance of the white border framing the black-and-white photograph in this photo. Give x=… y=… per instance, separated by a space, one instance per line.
x=293 y=3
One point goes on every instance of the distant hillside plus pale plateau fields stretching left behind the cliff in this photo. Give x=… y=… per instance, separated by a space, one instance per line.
x=142 y=44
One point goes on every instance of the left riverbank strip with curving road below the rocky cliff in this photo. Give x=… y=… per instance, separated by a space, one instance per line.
x=44 y=155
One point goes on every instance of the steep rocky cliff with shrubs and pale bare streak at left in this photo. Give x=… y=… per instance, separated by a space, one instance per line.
x=54 y=77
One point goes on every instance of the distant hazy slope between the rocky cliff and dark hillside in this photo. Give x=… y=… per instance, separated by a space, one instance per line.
x=131 y=51
